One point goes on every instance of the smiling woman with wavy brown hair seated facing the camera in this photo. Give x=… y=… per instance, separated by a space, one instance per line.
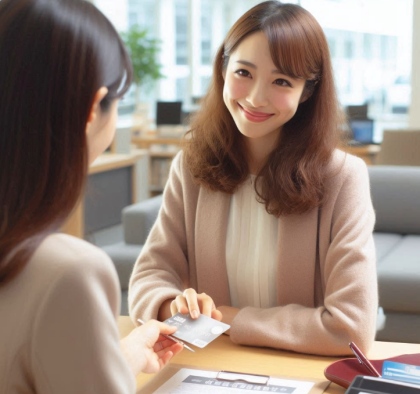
x=265 y=224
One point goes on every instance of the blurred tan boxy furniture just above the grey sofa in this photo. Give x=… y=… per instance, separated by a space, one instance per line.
x=400 y=147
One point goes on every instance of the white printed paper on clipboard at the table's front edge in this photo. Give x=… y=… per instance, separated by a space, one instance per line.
x=191 y=381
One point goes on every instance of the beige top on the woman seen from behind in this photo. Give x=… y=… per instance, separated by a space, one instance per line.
x=58 y=331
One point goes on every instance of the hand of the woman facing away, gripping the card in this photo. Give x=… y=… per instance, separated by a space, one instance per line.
x=148 y=351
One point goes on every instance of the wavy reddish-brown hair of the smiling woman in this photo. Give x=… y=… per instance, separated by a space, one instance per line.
x=292 y=180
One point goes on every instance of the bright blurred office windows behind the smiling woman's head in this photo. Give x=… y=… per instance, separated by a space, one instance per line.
x=374 y=47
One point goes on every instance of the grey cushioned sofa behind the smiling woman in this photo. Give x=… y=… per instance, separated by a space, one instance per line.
x=396 y=198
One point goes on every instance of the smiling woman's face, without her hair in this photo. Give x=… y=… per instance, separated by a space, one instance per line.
x=259 y=97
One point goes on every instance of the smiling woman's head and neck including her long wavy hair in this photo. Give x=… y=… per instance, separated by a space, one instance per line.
x=304 y=104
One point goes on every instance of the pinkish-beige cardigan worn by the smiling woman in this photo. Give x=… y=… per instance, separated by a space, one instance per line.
x=321 y=307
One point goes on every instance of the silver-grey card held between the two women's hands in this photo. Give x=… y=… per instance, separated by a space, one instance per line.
x=199 y=332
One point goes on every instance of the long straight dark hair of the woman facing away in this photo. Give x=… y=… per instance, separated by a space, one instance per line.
x=54 y=56
